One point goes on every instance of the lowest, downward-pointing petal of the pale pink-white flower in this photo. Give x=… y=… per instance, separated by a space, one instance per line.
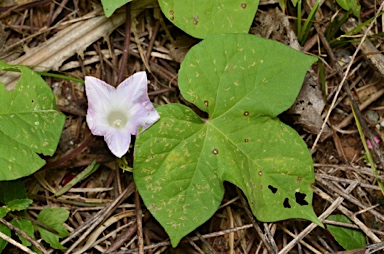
x=118 y=141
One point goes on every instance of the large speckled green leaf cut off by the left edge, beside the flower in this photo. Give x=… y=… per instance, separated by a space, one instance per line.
x=30 y=124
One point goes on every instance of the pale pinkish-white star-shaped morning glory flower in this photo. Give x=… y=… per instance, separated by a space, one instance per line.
x=117 y=113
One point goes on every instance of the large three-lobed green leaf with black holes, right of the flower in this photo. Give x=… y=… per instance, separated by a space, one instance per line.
x=243 y=82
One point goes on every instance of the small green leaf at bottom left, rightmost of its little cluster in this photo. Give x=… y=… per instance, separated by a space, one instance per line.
x=53 y=217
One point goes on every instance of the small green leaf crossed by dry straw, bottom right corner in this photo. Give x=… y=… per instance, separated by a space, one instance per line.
x=349 y=239
